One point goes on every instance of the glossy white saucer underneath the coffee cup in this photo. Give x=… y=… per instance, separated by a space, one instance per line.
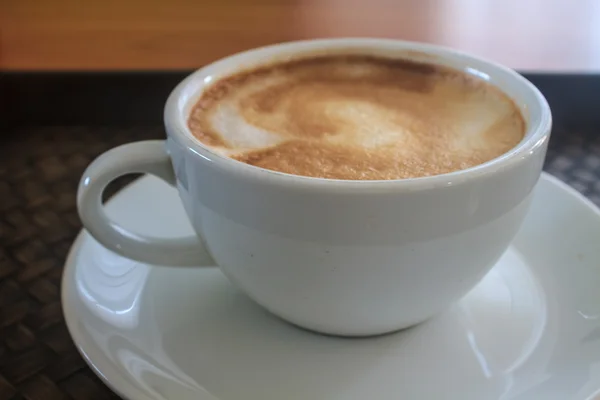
x=529 y=330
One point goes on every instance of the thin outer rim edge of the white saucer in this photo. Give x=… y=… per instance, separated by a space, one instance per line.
x=74 y=250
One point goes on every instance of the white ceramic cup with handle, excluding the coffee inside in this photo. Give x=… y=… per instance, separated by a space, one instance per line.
x=340 y=257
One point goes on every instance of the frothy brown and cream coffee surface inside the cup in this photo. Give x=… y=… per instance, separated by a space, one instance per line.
x=356 y=117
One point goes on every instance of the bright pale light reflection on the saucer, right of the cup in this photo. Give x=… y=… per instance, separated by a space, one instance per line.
x=509 y=306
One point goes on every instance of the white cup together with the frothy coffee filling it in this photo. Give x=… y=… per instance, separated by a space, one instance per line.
x=295 y=165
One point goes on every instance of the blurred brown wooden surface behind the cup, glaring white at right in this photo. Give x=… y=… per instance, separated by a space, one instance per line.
x=530 y=35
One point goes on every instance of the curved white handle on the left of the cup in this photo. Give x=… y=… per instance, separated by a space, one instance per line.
x=141 y=157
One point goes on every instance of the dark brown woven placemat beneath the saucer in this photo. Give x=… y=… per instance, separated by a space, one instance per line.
x=39 y=173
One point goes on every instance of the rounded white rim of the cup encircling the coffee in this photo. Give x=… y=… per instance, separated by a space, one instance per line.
x=535 y=138
